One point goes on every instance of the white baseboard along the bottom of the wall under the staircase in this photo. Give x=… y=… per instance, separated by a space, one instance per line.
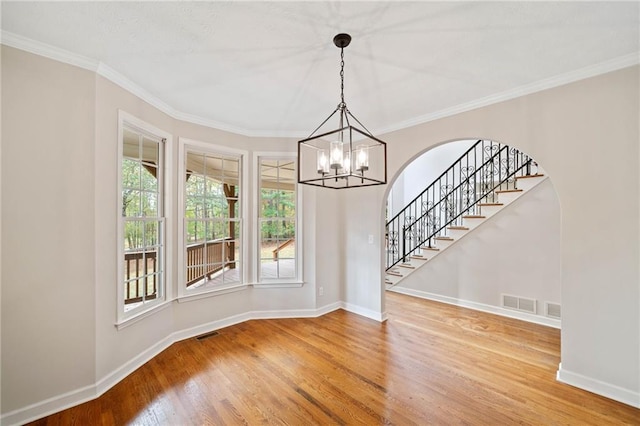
x=509 y=313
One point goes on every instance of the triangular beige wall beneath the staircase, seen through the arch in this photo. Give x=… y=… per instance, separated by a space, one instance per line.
x=515 y=252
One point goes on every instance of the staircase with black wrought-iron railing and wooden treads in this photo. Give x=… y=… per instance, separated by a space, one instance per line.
x=483 y=181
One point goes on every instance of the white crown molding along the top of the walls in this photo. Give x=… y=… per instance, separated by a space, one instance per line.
x=61 y=55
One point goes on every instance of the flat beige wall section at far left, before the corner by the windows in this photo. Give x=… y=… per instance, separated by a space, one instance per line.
x=48 y=319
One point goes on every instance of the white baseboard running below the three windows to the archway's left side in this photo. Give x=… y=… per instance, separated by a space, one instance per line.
x=87 y=393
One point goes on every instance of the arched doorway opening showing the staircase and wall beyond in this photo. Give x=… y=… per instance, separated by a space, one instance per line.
x=507 y=261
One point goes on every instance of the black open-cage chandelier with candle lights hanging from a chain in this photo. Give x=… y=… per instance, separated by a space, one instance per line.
x=337 y=154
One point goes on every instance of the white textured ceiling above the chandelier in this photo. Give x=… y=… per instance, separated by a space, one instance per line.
x=270 y=68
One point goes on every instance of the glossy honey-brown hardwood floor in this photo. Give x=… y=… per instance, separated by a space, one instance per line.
x=429 y=364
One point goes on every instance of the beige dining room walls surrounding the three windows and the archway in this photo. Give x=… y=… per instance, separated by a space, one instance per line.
x=59 y=239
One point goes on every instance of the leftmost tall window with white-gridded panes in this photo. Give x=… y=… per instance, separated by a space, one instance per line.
x=142 y=211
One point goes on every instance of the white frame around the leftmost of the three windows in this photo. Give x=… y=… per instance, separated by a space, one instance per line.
x=125 y=318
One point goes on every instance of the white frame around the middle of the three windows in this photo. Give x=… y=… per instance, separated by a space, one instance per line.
x=185 y=145
